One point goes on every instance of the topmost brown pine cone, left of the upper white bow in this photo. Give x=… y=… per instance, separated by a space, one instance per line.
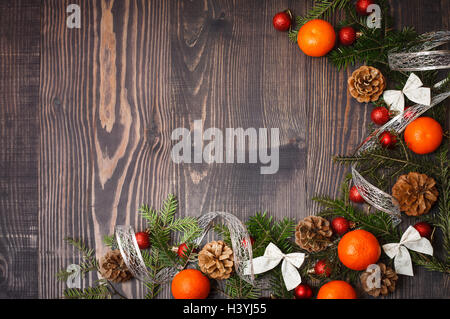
x=366 y=84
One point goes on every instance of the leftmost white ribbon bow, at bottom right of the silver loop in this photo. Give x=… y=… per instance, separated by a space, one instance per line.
x=272 y=257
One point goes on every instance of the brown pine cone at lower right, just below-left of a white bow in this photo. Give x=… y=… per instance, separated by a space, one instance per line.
x=387 y=285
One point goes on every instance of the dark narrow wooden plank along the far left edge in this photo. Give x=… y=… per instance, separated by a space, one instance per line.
x=19 y=127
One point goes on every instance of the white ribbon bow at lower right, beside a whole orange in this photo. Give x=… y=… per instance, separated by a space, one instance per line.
x=412 y=240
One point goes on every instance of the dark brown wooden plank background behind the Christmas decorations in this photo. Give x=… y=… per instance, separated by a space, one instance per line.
x=86 y=116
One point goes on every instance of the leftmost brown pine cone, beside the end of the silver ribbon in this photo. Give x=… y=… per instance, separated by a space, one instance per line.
x=112 y=267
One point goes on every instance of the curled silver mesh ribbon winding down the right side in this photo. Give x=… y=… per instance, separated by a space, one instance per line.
x=406 y=62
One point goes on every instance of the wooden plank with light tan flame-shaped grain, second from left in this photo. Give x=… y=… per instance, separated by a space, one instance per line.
x=101 y=143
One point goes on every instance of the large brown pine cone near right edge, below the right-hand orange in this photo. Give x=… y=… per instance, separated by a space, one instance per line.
x=415 y=193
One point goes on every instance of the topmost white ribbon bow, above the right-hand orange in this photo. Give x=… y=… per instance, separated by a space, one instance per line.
x=413 y=90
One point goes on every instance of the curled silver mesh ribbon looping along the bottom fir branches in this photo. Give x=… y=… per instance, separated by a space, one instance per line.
x=242 y=253
